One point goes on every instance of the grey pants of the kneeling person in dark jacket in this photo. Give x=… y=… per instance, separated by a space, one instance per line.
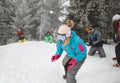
x=99 y=49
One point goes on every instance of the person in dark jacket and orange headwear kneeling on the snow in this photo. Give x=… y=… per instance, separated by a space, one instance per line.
x=94 y=40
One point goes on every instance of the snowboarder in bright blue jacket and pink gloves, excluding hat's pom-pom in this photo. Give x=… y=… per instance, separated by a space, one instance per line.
x=76 y=52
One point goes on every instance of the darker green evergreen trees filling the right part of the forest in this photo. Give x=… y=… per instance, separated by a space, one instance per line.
x=95 y=13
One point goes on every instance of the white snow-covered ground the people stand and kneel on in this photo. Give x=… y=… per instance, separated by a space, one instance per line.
x=30 y=62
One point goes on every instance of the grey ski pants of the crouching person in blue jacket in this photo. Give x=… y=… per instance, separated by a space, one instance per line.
x=72 y=72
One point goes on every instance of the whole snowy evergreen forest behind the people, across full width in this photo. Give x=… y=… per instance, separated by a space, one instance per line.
x=36 y=17
